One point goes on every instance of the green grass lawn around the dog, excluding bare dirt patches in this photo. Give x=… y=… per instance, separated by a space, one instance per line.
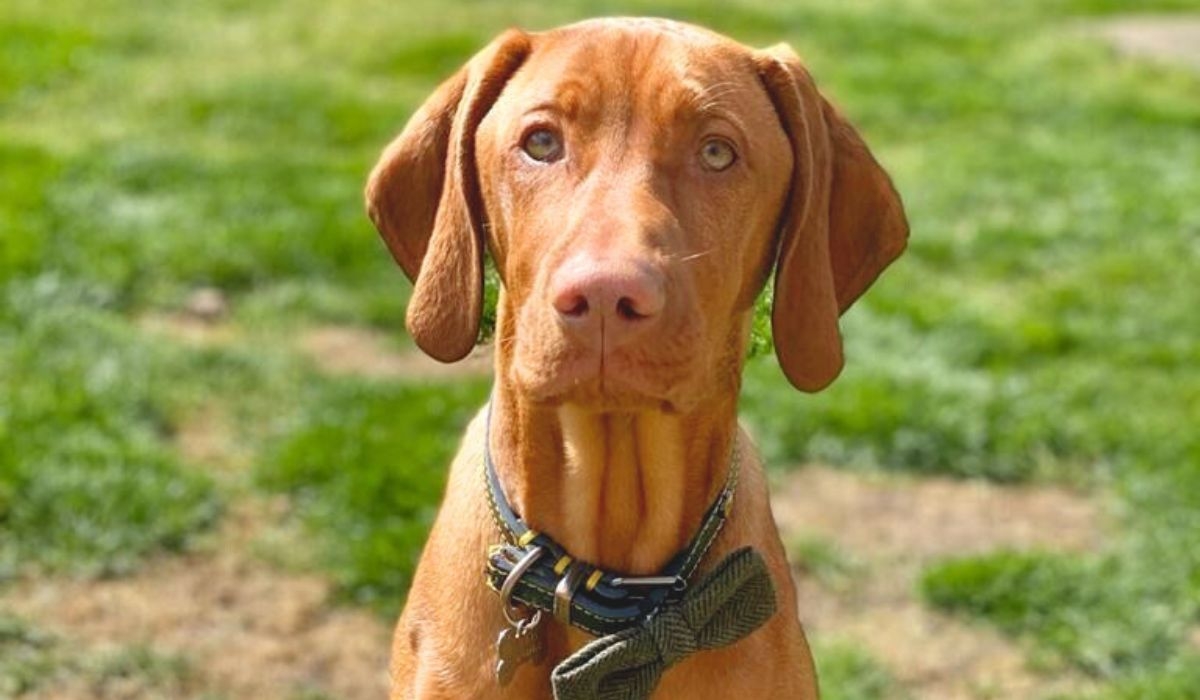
x=1042 y=328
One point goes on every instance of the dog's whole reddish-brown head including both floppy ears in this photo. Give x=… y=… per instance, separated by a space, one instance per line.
x=637 y=182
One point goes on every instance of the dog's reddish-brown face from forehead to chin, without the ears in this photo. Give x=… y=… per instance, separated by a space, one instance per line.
x=634 y=181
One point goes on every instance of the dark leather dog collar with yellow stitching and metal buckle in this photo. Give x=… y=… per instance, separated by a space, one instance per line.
x=547 y=578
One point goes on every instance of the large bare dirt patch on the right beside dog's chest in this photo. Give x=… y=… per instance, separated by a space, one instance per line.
x=893 y=527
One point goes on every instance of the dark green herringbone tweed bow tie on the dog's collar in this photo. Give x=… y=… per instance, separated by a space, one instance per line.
x=734 y=601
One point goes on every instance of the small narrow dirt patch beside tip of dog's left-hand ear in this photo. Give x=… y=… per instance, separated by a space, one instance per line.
x=341 y=350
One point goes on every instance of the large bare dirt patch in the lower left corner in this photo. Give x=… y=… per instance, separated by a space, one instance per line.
x=247 y=630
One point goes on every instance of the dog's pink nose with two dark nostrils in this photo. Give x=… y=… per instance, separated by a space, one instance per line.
x=623 y=296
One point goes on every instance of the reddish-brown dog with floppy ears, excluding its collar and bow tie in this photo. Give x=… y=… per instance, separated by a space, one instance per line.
x=637 y=182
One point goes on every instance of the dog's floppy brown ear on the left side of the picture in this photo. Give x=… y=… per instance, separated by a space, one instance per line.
x=424 y=199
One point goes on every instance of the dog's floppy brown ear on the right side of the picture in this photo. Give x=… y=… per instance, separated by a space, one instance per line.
x=844 y=224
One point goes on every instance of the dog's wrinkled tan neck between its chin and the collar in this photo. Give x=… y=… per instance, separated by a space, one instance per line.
x=625 y=492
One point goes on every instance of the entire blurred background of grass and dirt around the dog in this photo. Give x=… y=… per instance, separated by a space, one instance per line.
x=220 y=454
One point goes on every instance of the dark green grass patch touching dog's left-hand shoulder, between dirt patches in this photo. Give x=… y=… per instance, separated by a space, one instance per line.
x=367 y=468
